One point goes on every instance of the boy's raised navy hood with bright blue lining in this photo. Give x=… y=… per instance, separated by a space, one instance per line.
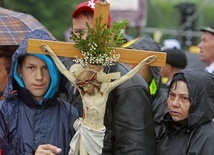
x=21 y=51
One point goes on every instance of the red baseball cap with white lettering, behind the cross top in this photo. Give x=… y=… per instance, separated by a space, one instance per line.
x=88 y=6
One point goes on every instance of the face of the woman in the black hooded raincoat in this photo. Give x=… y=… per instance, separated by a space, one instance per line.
x=178 y=101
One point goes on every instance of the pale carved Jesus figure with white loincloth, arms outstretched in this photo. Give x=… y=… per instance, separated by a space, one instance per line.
x=94 y=87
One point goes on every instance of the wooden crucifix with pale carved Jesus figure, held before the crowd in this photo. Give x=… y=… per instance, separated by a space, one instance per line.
x=94 y=86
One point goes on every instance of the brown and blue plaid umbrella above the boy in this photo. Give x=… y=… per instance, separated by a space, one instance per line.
x=15 y=26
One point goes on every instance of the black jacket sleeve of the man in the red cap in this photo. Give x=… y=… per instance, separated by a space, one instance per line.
x=129 y=123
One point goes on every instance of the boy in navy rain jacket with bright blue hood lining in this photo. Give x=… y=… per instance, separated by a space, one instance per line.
x=35 y=118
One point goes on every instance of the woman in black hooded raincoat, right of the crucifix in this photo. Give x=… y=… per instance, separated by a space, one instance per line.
x=190 y=129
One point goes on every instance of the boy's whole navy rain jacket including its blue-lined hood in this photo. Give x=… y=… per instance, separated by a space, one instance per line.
x=26 y=123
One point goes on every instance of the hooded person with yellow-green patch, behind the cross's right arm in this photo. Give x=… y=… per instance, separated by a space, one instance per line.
x=153 y=77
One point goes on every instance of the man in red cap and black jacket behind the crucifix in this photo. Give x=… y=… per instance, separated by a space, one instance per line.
x=128 y=116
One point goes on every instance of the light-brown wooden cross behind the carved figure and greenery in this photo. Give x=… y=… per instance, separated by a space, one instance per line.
x=67 y=49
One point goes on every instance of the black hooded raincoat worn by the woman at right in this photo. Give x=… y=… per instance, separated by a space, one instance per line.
x=194 y=135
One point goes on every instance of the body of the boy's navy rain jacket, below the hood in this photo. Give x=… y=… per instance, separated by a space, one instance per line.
x=25 y=124
